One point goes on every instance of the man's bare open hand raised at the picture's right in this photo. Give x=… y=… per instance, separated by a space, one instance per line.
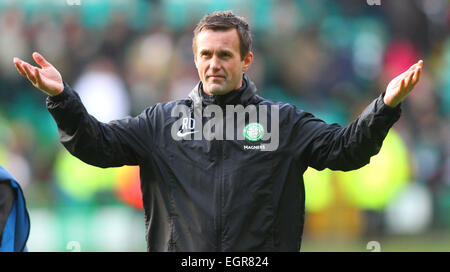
x=402 y=85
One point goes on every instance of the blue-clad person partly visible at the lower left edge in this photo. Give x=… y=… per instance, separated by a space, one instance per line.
x=14 y=218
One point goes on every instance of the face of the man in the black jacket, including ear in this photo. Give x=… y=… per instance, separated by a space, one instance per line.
x=218 y=61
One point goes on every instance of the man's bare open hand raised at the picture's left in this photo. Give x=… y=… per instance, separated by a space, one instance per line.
x=46 y=78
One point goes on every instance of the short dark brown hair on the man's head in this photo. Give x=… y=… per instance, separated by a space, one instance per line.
x=225 y=20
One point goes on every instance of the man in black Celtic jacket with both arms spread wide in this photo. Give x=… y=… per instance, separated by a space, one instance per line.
x=209 y=194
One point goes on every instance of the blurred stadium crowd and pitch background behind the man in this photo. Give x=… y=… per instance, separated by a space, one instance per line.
x=327 y=57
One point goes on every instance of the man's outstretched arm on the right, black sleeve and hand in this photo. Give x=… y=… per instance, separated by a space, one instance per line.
x=347 y=148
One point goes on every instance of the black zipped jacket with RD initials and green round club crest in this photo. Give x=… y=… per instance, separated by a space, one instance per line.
x=216 y=195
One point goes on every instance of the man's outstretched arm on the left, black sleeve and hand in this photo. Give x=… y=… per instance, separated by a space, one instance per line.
x=117 y=143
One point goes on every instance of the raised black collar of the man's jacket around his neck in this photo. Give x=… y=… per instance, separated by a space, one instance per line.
x=243 y=95
